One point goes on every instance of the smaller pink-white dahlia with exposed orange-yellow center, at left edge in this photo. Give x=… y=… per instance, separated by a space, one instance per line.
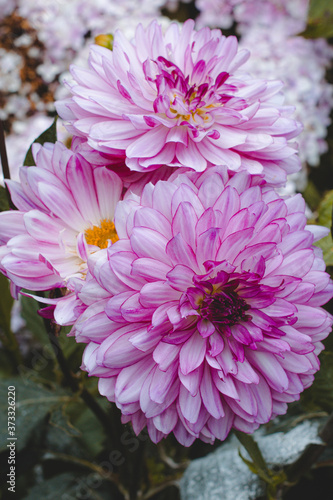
x=65 y=213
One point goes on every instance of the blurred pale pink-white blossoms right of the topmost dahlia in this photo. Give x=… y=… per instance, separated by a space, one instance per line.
x=281 y=54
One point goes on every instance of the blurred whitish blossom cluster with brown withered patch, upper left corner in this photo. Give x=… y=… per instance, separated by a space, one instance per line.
x=39 y=39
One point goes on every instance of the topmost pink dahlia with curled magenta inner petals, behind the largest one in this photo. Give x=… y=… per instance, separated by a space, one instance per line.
x=179 y=99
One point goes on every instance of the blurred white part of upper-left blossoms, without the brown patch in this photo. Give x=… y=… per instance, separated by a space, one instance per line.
x=64 y=26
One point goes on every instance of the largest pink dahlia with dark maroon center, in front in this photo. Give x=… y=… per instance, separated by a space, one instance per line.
x=205 y=315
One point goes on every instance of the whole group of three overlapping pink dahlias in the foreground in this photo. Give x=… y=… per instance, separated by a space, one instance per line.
x=195 y=285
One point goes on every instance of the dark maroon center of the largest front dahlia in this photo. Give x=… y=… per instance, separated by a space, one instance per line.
x=224 y=308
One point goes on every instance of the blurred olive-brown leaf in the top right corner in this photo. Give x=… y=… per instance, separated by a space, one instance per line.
x=320 y=20
